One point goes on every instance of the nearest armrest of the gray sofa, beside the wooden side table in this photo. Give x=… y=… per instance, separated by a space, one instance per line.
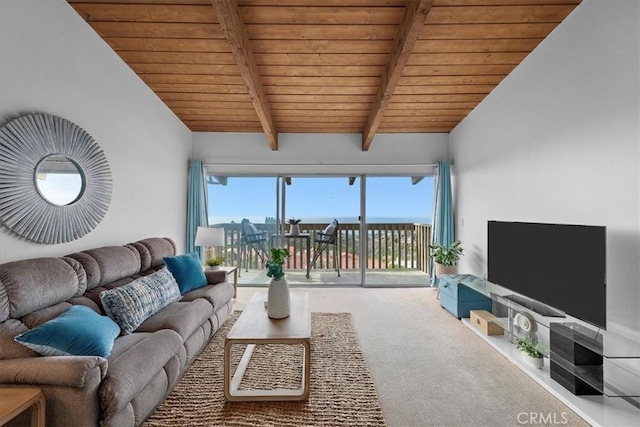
x=70 y=371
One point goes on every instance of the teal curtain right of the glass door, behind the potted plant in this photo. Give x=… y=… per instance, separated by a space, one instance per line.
x=442 y=227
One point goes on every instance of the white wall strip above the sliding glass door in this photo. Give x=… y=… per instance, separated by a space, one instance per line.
x=320 y=153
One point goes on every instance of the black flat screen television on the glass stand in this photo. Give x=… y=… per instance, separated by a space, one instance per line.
x=561 y=265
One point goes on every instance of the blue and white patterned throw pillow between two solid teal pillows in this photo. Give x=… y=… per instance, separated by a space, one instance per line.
x=133 y=303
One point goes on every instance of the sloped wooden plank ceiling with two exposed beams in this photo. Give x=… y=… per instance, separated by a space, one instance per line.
x=323 y=66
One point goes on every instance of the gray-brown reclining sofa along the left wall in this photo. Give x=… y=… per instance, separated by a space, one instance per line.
x=143 y=367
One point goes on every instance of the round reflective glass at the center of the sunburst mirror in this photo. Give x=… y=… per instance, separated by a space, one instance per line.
x=59 y=180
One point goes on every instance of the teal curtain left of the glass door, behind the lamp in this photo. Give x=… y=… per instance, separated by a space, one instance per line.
x=196 y=204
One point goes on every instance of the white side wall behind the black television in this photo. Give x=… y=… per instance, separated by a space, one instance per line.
x=559 y=141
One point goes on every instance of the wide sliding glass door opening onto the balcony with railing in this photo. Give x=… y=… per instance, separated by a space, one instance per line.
x=383 y=227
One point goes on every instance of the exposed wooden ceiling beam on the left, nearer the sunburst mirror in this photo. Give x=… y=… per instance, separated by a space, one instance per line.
x=233 y=29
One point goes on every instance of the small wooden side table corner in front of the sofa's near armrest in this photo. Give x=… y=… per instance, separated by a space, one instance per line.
x=14 y=401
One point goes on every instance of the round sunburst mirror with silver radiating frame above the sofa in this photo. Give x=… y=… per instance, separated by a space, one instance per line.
x=55 y=181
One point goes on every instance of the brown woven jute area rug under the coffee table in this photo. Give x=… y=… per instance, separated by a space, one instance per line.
x=342 y=391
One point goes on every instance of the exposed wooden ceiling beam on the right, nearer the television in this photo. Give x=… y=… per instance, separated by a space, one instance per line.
x=413 y=20
